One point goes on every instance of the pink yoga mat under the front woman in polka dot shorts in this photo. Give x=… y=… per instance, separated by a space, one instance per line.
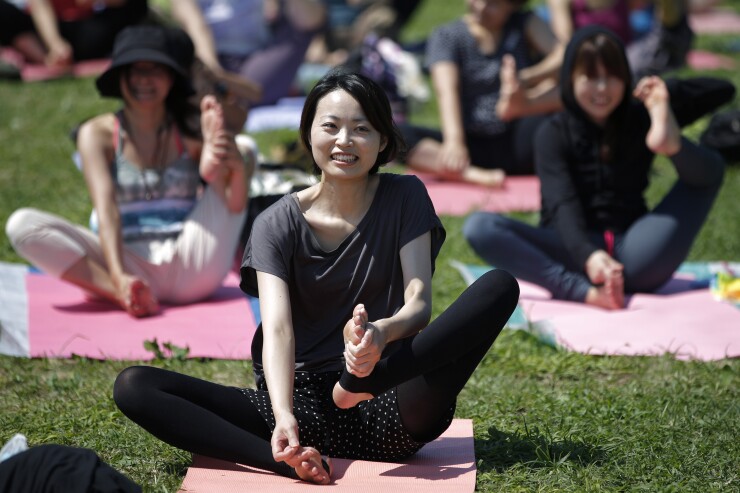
x=446 y=465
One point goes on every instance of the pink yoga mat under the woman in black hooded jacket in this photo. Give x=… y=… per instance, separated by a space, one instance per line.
x=687 y=323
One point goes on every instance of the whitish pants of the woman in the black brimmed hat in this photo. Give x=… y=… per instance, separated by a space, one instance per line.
x=181 y=270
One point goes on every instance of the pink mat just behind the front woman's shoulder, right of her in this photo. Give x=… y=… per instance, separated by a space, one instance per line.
x=520 y=193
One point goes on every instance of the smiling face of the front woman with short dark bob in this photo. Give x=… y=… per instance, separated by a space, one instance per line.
x=343 y=142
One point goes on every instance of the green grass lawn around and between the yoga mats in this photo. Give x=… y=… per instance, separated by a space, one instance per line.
x=545 y=420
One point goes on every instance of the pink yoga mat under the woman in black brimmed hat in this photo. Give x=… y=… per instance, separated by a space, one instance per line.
x=62 y=323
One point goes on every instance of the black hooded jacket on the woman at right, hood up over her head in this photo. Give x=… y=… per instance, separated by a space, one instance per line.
x=582 y=193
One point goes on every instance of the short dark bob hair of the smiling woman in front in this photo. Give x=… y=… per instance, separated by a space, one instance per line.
x=374 y=103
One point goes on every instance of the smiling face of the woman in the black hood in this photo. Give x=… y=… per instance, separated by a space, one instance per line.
x=598 y=94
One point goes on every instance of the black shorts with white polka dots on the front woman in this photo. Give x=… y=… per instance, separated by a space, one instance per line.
x=372 y=430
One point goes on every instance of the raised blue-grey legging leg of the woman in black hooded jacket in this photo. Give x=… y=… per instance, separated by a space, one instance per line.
x=656 y=244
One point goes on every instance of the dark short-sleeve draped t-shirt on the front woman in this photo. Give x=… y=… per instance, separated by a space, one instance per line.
x=326 y=286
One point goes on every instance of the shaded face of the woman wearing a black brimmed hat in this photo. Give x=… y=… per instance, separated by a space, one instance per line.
x=146 y=82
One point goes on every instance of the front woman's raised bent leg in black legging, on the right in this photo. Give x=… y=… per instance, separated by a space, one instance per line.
x=431 y=368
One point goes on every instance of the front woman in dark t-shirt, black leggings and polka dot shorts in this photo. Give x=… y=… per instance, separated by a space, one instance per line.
x=343 y=271
